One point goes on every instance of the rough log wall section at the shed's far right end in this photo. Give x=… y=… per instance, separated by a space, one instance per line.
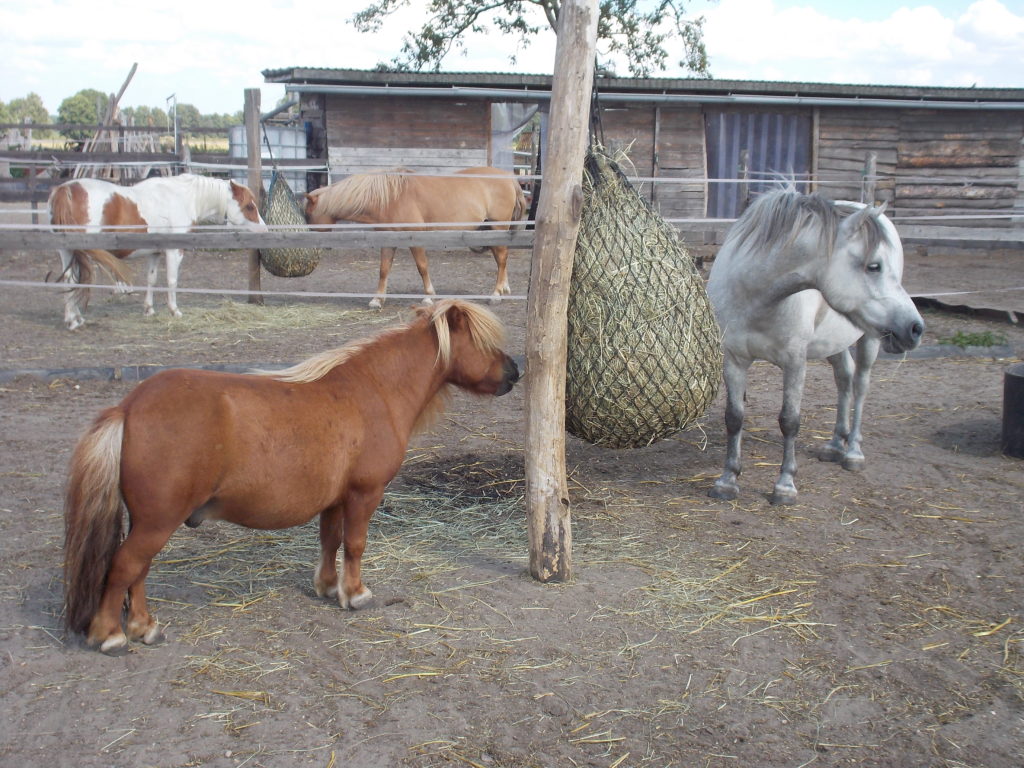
x=959 y=163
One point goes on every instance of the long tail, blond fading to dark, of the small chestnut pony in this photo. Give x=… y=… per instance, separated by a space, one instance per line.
x=94 y=518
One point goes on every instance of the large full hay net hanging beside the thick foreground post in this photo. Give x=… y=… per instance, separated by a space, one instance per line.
x=645 y=351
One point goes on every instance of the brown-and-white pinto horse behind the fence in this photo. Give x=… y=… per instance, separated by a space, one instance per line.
x=172 y=204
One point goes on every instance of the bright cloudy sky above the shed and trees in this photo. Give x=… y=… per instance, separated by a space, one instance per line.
x=207 y=54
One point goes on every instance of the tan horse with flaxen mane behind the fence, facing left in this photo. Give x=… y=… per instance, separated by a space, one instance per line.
x=401 y=197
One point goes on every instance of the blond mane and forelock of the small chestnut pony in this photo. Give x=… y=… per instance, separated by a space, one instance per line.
x=486 y=331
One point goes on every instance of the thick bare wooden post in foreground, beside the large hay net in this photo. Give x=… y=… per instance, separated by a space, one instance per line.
x=557 y=229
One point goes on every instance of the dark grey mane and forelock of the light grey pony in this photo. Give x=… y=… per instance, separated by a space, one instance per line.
x=777 y=218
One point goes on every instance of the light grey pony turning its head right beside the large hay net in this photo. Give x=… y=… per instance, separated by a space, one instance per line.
x=798 y=278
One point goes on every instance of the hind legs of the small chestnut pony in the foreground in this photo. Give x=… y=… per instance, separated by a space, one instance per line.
x=131 y=565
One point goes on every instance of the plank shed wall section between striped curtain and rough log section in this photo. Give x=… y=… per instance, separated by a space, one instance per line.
x=845 y=139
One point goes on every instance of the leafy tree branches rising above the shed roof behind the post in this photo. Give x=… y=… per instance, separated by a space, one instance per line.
x=641 y=33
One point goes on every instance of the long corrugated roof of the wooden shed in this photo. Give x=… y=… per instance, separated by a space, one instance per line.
x=654 y=87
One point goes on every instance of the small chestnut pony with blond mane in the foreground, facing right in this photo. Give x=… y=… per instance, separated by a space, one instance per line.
x=268 y=451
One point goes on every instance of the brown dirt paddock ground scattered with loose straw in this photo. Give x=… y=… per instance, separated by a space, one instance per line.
x=876 y=623
